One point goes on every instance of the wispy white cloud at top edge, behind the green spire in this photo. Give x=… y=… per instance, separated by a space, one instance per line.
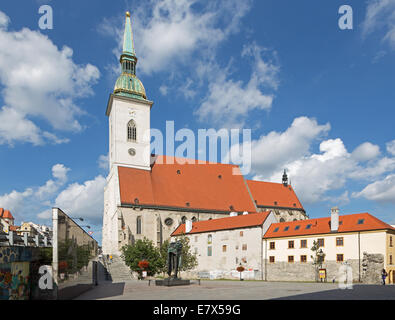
x=170 y=32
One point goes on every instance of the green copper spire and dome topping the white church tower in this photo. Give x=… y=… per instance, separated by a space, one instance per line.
x=128 y=84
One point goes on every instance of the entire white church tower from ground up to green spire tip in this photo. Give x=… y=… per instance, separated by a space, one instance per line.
x=128 y=111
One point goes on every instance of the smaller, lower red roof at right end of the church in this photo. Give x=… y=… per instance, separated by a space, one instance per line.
x=269 y=194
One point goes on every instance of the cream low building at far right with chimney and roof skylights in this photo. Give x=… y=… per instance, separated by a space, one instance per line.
x=361 y=240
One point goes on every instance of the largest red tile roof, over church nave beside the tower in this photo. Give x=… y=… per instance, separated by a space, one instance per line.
x=209 y=186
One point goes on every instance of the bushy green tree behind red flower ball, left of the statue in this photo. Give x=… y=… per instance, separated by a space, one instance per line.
x=143 y=250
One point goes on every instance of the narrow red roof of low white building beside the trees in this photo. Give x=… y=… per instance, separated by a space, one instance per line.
x=236 y=222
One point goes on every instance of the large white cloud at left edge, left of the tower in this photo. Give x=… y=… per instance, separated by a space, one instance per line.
x=39 y=81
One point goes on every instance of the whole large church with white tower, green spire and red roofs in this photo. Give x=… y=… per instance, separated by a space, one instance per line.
x=149 y=196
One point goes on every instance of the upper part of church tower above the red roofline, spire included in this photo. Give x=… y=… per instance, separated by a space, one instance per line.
x=129 y=112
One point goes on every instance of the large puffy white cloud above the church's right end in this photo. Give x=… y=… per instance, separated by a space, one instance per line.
x=316 y=176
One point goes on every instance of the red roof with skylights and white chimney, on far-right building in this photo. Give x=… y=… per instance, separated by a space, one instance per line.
x=347 y=223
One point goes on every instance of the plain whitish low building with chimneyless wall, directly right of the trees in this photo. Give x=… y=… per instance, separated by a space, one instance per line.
x=221 y=245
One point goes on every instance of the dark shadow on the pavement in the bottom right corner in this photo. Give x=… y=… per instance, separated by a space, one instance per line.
x=358 y=292
